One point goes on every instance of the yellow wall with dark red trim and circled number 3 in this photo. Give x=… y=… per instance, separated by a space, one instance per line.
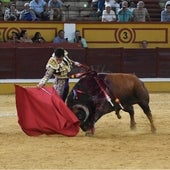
x=98 y=34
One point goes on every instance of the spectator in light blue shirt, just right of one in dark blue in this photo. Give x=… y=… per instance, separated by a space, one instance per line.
x=39 y=7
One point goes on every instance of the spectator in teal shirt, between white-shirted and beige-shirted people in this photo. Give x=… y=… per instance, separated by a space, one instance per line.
x=124 y=14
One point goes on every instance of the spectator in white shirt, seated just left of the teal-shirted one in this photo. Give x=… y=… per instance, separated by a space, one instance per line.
x=108 y=14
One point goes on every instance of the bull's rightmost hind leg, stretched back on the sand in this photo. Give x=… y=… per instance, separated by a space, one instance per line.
x=147 y=111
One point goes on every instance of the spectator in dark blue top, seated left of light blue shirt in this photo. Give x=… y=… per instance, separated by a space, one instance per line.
x=27 y=14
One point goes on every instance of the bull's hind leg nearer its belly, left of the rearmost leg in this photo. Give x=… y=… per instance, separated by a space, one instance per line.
x=131 y=112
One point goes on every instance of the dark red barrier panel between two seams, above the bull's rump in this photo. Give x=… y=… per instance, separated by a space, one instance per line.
x=142 y=62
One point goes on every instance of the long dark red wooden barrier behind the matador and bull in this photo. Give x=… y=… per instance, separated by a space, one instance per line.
x=27 y=61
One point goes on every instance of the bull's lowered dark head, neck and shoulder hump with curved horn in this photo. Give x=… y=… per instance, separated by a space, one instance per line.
x=86 y=100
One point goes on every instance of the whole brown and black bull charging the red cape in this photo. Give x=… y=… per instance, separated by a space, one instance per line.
x=90 y=98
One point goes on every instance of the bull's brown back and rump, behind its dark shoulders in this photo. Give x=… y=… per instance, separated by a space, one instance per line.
x=126 y=85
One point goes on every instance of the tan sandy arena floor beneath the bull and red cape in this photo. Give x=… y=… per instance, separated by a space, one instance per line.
x=114 y=145
